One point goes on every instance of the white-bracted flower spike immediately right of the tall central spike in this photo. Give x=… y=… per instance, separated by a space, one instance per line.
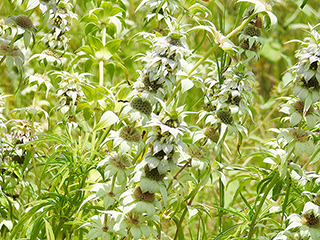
x=226 y=104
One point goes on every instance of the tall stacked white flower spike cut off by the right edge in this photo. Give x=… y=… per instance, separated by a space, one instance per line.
x=302 y=108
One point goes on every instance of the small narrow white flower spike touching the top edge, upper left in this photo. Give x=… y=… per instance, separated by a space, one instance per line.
x=60 y=23
